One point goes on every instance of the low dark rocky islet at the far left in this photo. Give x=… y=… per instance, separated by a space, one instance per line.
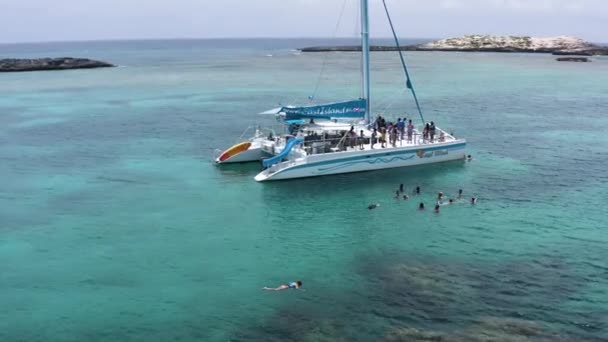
x=63 y=63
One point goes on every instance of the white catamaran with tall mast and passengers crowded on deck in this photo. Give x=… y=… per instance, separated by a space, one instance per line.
x=341 y=138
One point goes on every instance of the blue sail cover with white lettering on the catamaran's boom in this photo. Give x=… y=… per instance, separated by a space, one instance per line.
x=346 y=109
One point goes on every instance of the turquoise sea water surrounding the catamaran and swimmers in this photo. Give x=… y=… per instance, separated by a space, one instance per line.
x=115 y=225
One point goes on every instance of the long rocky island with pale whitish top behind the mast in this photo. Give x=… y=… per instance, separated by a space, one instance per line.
x=562 y=45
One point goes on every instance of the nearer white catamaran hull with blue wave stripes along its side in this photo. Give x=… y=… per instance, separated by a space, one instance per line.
x=367 y=160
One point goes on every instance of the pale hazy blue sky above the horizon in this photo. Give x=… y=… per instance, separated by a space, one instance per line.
x=66 y=20
